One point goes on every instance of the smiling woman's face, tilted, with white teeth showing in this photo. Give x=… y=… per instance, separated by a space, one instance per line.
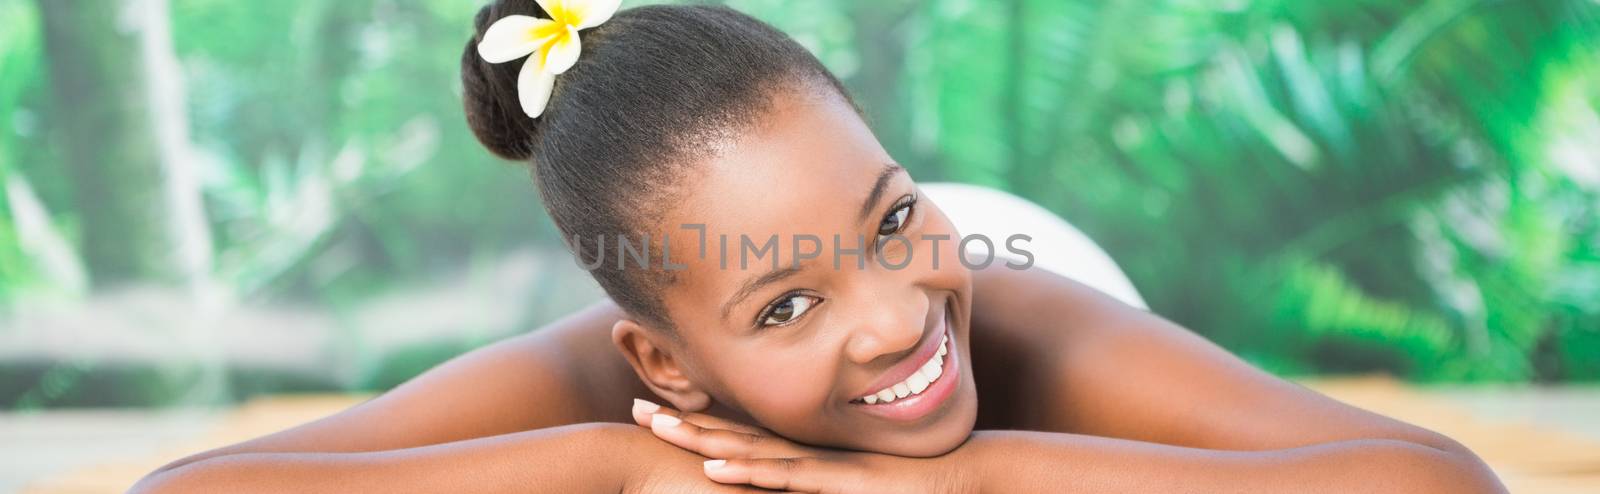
x=879 y=313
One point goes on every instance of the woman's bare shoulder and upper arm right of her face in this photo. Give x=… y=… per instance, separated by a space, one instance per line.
x=1065 y=357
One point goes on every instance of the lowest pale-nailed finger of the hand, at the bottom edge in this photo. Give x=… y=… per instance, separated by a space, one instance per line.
x=786 y=474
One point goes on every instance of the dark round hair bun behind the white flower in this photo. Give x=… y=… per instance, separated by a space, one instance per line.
x=490 y=90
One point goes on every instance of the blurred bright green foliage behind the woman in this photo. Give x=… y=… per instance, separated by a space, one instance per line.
x=1404 y=186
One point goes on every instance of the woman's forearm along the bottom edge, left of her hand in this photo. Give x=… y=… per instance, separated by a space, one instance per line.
x=580 y=458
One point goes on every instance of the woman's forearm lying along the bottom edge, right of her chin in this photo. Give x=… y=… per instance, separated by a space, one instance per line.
x=1060 y=463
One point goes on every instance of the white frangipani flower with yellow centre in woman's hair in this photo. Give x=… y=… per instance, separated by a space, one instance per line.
x=551 y=46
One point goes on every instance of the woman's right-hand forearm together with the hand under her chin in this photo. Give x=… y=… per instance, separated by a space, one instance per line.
x=1020 y=461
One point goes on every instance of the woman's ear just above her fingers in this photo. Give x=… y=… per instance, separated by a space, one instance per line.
x=657 y=367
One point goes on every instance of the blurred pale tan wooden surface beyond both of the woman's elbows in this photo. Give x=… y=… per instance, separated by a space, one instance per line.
x=1527 y=456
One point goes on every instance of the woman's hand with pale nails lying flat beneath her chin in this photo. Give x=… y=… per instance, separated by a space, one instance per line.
x=745 y=455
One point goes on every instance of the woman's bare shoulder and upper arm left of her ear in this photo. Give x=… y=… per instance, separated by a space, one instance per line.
x=564 y=373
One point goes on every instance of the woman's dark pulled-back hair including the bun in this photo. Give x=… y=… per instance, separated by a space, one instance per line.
x=650 y=92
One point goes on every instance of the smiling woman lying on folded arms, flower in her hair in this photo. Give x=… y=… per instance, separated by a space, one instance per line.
x=694 y=156
